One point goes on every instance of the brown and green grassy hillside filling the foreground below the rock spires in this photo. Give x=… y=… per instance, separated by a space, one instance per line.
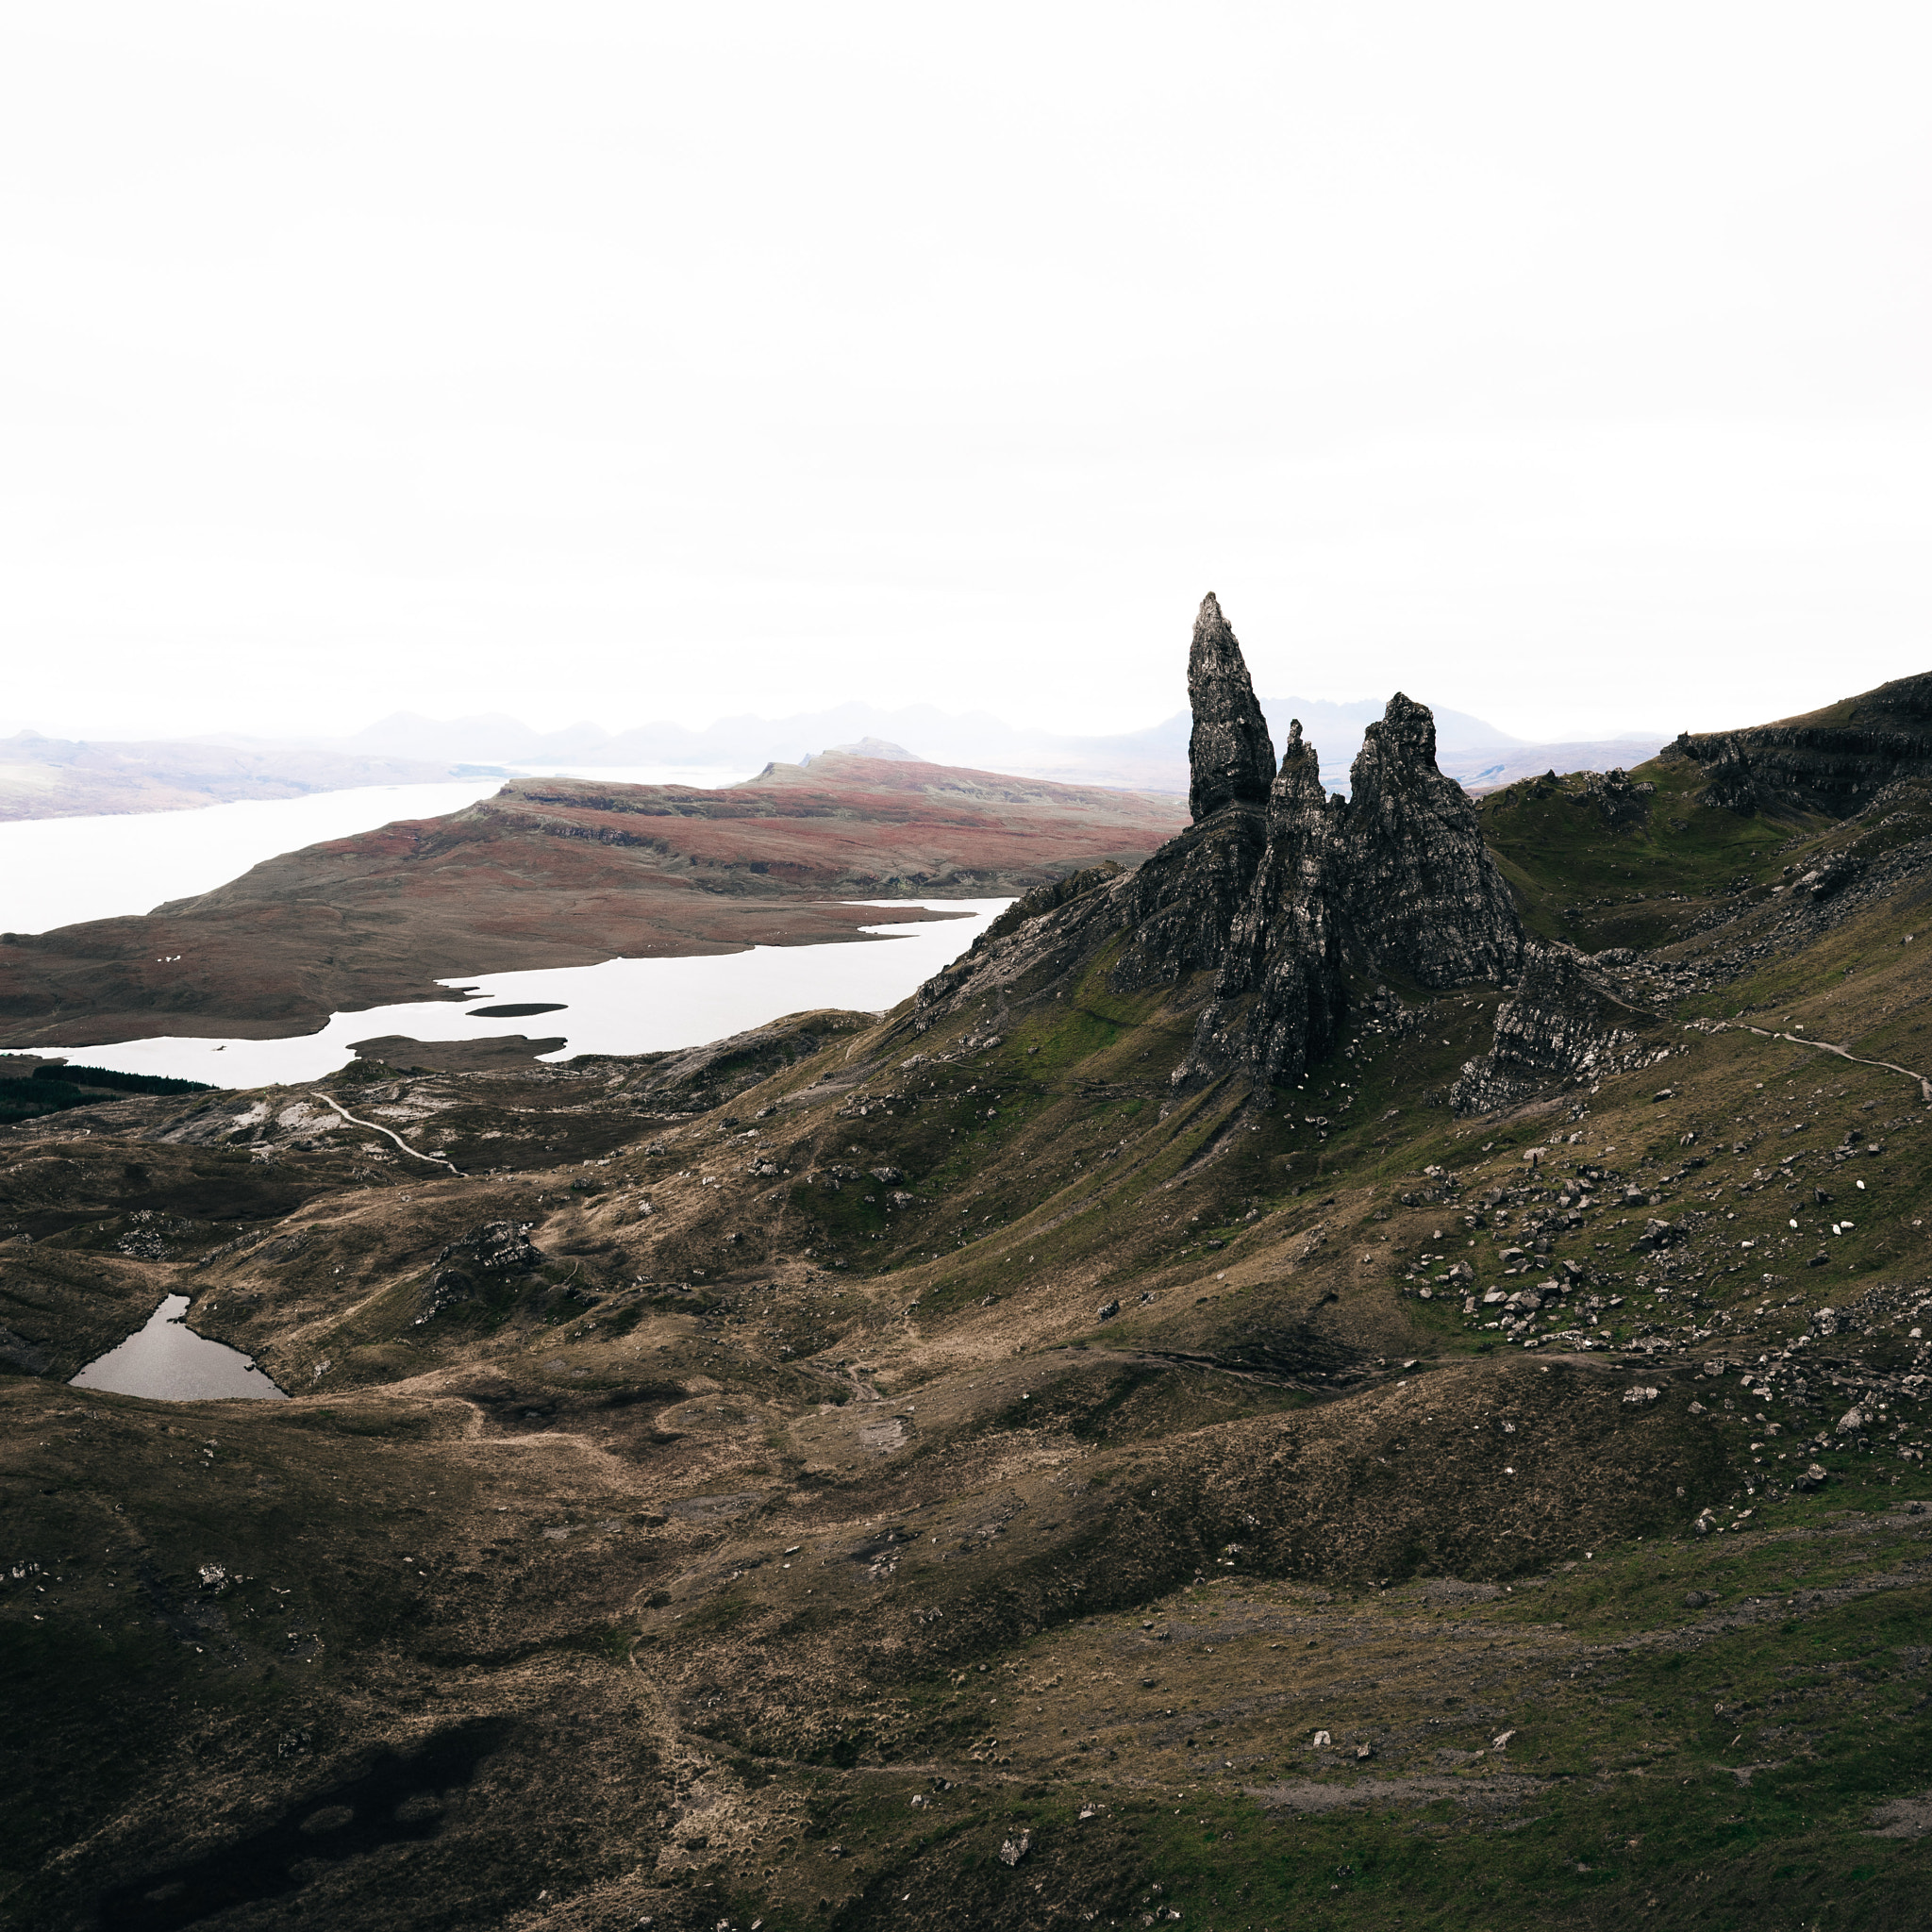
x=955 y=1481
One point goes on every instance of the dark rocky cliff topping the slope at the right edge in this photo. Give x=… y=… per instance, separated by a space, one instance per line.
x=1831 y=762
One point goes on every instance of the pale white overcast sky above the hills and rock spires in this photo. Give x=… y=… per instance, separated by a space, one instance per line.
x=1560 y=364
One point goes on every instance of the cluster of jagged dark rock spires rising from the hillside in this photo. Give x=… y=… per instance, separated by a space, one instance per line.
x=1276 y=888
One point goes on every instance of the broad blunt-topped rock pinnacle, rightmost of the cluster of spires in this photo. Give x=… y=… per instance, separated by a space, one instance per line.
x=1423 y=895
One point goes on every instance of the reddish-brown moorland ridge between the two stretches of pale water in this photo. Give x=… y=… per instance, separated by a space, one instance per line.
x=561 y=874
